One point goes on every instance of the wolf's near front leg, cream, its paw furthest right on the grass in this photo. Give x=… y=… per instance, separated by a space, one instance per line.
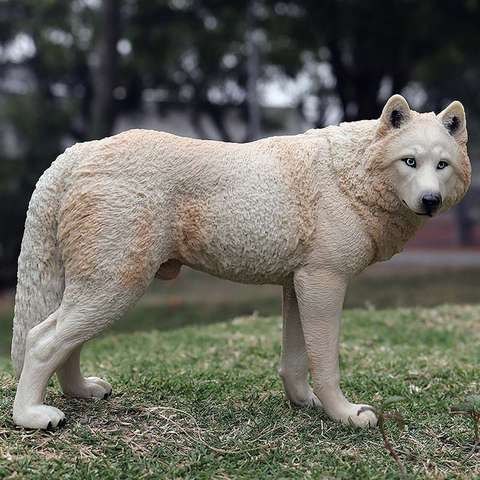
x=320 y=297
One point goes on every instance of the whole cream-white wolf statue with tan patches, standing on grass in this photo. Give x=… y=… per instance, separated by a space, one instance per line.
x=307 y=212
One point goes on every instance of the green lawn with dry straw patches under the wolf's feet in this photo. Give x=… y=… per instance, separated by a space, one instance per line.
x=207 y=402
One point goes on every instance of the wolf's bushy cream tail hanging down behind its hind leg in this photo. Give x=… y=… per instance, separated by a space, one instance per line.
x=41 y=276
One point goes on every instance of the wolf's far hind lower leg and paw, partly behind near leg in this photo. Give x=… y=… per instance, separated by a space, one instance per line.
x=74 y=384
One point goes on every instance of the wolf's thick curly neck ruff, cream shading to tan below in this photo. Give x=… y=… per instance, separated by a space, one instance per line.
x=386 y=221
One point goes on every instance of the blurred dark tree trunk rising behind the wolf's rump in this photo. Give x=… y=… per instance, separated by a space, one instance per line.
x=104 y=111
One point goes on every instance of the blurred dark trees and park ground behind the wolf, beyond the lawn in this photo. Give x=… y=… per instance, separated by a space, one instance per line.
x=72 y=71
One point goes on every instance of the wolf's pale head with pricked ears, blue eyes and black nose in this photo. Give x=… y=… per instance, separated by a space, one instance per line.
x=424 y=156
